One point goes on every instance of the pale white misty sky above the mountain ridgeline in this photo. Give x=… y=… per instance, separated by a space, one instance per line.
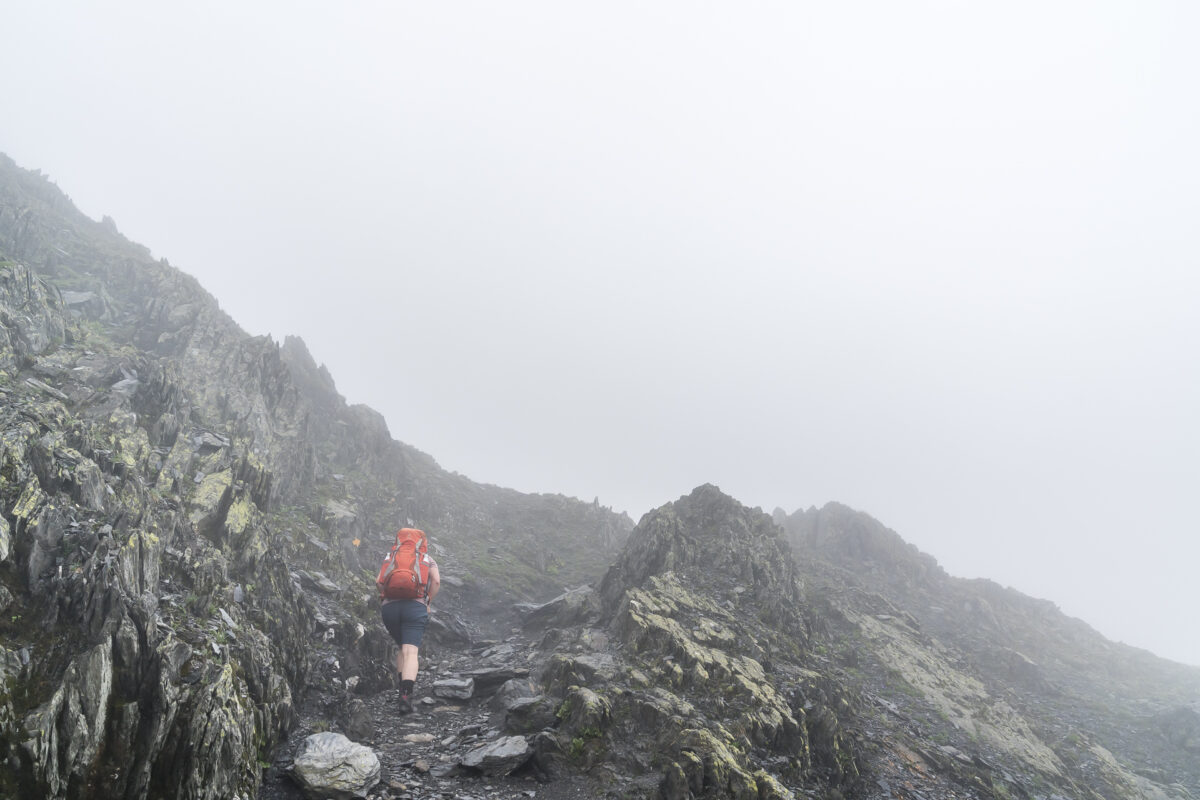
x=937 y=261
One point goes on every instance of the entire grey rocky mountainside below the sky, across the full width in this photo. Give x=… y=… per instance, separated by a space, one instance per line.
x=190 y=520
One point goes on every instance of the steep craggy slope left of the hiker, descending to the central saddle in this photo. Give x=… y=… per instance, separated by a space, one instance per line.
x=176 y=496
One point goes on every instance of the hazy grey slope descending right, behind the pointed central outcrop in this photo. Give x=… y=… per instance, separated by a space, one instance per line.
x=1013 y=676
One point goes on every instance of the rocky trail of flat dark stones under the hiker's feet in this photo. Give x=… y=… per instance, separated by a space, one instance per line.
x=459 y=742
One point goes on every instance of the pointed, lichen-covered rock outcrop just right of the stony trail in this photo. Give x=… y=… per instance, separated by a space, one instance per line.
x=693 y=677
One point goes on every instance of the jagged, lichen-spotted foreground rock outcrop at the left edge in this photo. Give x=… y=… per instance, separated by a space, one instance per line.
x=119 y=691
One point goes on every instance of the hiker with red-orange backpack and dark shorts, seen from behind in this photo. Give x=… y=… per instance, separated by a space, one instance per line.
x=409 y=582
